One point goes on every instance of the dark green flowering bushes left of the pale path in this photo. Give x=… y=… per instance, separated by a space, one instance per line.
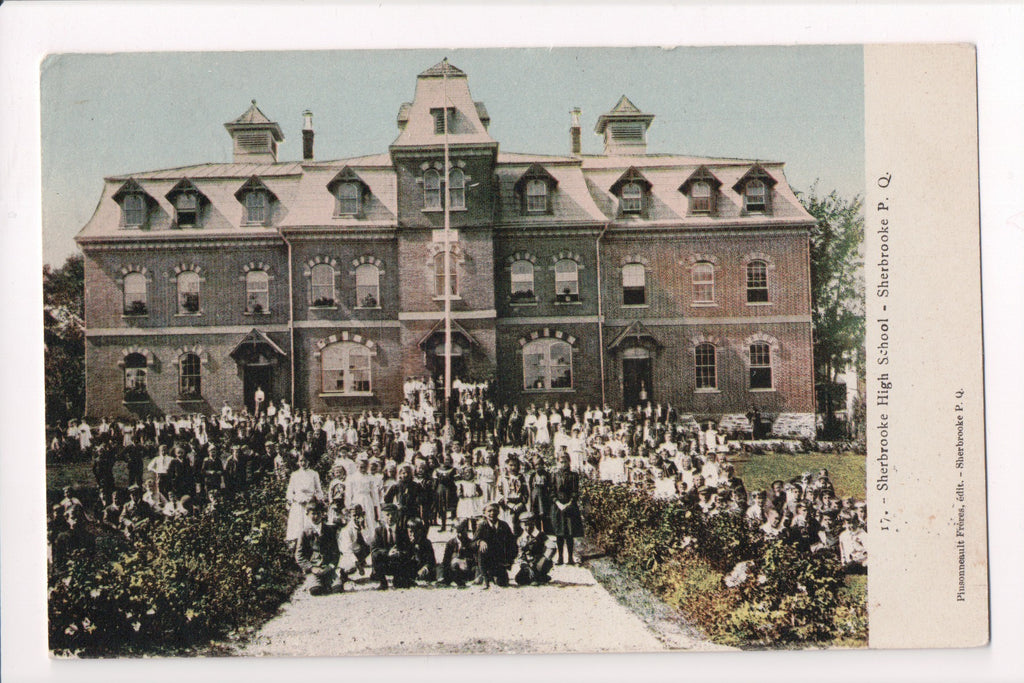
x=181 y=583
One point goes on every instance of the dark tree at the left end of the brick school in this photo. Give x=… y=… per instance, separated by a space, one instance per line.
x=64 y=339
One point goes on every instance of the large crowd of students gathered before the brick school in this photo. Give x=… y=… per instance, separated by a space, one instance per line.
x=484 y=473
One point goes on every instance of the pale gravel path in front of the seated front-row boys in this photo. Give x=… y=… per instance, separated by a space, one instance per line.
x=573 y=614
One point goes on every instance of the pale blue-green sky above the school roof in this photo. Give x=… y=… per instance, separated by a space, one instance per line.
x=107 y=115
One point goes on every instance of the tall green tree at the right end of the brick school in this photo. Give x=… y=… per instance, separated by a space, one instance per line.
x=837 y=283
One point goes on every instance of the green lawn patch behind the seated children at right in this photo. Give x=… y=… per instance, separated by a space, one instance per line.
x=847 y=472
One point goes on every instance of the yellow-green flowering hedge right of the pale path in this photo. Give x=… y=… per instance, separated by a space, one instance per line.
x=792 y=600
